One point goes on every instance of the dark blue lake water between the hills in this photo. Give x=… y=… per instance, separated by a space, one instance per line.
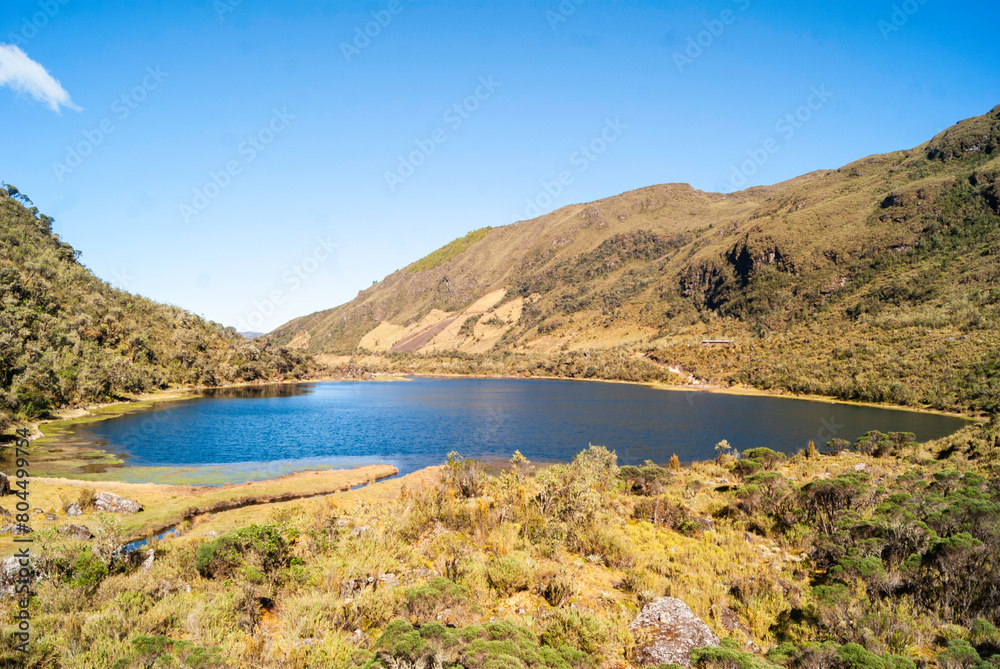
x=241 y=434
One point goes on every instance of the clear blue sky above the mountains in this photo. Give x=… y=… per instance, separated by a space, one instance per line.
x=237 y=152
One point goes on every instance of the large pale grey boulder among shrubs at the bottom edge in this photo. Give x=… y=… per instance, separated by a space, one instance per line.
x=670 y=631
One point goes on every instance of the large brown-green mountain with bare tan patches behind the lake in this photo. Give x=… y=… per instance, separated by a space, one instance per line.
x=876 y=281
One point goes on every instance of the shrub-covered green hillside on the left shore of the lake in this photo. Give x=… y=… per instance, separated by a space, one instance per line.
x=66 y=336
